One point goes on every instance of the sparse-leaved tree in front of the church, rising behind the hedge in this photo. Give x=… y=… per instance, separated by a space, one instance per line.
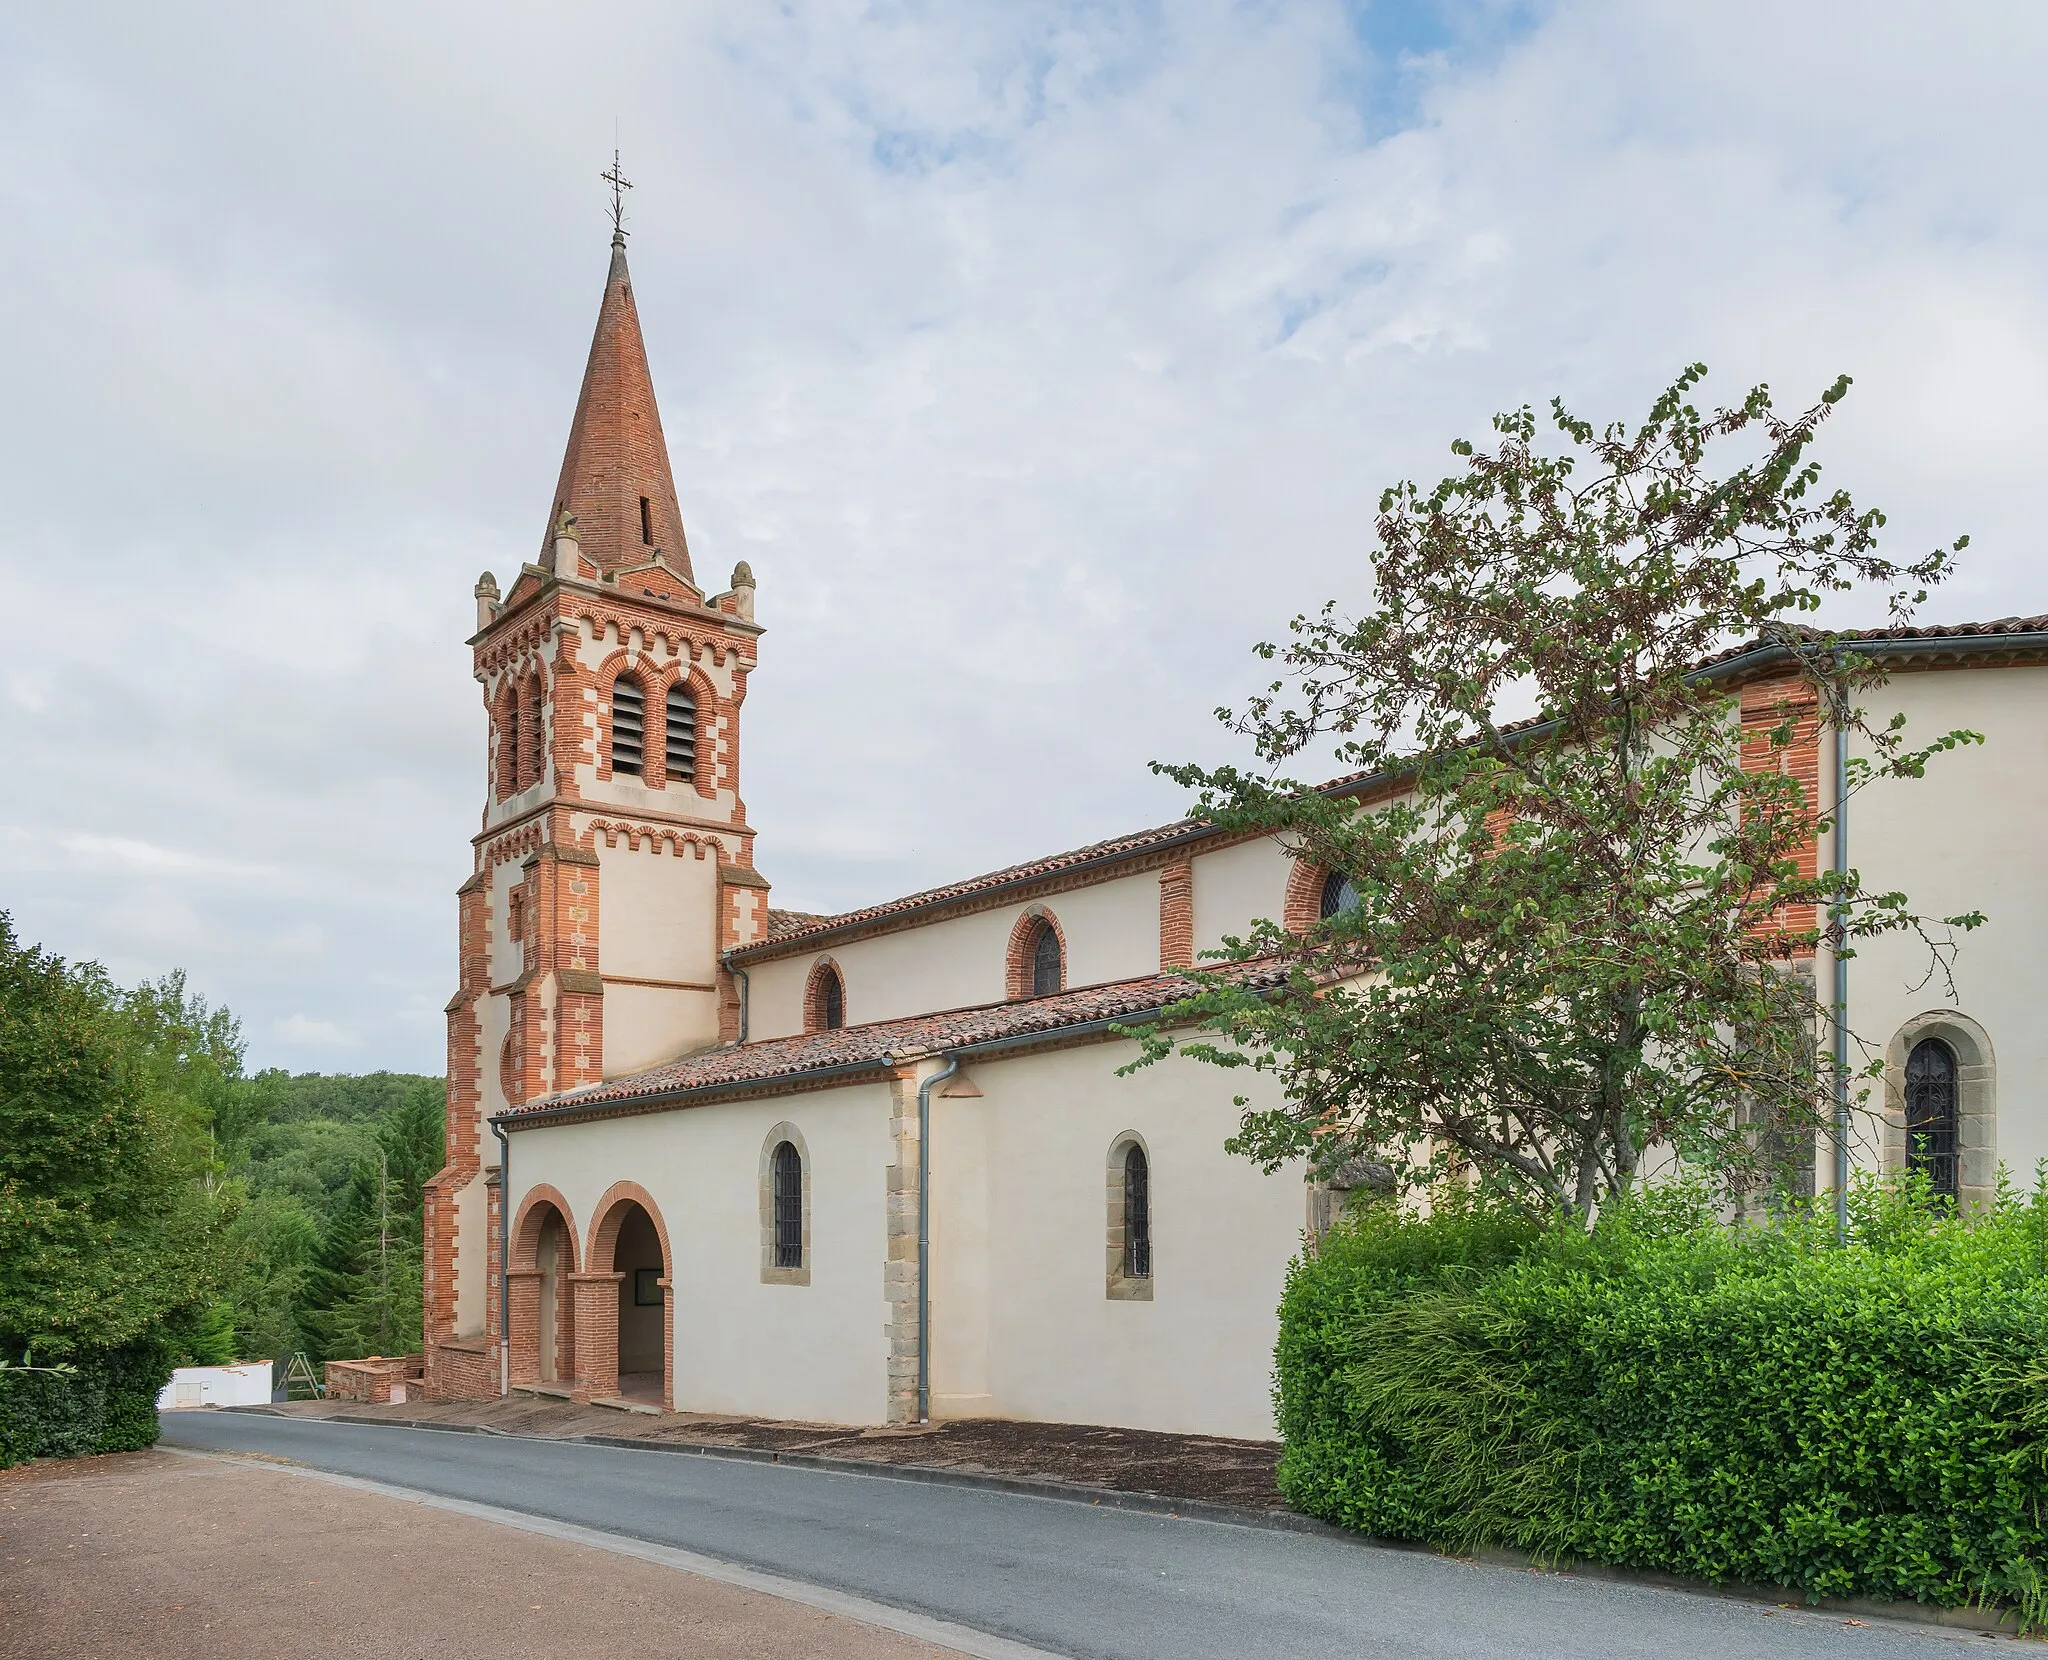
x=1572 y=938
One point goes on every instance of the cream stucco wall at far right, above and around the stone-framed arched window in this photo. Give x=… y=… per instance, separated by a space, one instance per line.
x=1965 y=838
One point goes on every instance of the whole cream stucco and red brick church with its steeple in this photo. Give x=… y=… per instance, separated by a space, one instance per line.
x=880 y=1168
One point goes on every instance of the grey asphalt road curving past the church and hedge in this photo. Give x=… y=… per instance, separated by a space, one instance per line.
x=1066 y=1577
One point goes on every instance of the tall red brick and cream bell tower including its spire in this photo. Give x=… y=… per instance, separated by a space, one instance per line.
x=615 y=861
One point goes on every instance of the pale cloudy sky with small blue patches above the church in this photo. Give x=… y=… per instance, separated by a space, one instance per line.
x=1039 y=357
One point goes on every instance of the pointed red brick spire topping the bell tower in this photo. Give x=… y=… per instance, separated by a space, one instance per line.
x=615 y=472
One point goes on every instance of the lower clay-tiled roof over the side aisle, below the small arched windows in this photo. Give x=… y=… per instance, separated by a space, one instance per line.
x=882 y=1043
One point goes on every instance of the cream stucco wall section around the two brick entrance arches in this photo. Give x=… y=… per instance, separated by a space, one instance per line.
x=792 y=1352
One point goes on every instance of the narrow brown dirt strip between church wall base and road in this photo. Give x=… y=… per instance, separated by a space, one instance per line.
x=1125 y=1460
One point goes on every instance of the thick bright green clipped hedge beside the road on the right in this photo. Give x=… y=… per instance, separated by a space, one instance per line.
x=1752 y=1405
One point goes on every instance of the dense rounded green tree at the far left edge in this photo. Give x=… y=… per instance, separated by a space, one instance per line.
x=108 y=1225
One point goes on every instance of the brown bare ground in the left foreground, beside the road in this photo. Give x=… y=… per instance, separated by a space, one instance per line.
x=153 y=1557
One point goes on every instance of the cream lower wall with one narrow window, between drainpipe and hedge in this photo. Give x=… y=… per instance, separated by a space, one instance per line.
x=1031 y=1329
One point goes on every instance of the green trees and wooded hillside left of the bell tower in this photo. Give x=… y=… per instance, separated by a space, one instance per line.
x=153 y=1190
